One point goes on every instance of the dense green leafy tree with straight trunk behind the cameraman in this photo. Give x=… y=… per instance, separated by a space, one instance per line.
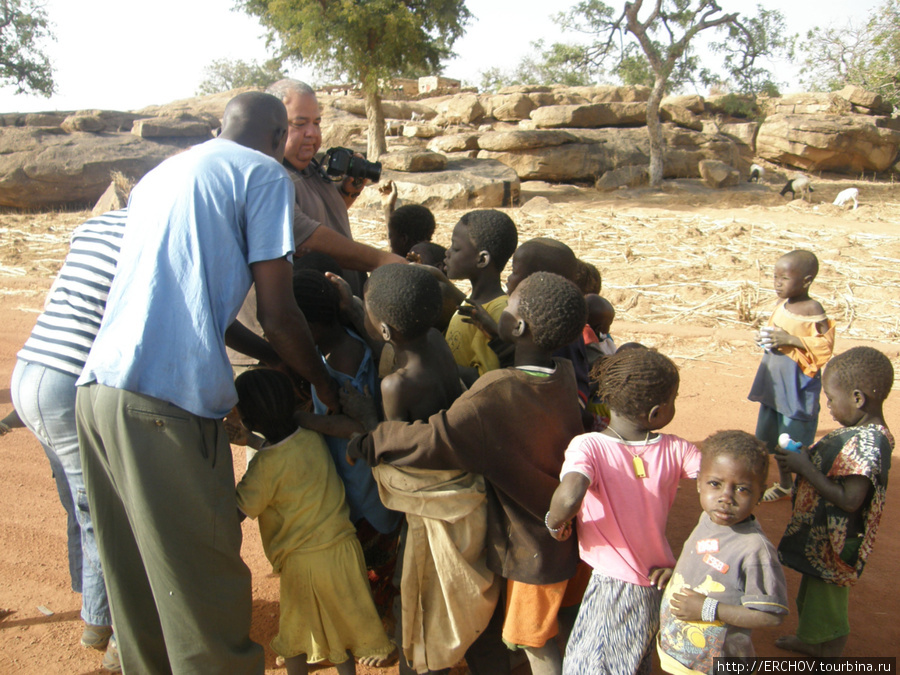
x=365 y=41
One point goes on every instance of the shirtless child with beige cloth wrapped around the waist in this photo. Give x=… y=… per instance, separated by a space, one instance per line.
x=448 y=593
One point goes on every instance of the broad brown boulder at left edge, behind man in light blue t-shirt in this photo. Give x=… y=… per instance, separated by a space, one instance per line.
x=42 y=168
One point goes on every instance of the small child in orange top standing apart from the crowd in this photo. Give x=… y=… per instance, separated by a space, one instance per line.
x=798 y=341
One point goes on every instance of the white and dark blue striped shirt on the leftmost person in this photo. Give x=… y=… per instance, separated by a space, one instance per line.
x=65 y=331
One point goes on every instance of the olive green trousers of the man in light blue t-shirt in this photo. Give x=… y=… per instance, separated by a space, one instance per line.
x=160 y=484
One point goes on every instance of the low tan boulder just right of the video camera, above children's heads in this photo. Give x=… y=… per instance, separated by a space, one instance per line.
x=464 y=184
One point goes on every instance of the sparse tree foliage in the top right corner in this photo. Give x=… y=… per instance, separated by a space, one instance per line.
x=865 y=54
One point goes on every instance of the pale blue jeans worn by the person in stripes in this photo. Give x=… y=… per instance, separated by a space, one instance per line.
x=45 y=400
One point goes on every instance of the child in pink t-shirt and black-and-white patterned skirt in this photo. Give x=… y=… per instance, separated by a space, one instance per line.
x=621 y=483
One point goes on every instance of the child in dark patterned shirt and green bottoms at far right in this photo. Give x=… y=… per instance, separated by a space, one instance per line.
x=838 y=500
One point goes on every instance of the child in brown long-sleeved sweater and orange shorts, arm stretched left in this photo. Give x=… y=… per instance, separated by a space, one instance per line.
x=512 y=427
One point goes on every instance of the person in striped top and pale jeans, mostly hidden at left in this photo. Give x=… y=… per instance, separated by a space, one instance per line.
x=43 y=393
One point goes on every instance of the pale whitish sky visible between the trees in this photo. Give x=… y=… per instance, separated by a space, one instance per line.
x=122 y=55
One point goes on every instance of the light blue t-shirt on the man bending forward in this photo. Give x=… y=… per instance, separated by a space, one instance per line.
x=195 y=223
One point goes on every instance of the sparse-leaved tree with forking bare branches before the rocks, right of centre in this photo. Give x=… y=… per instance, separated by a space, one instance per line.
x=652 y=43
